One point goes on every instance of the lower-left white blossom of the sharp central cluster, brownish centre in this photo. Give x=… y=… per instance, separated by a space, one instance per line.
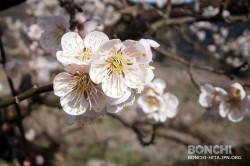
x=77 y=92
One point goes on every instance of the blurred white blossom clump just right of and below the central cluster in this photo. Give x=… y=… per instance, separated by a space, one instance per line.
x=156 y=105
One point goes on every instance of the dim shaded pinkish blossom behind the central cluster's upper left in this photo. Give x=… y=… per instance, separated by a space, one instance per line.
x=54 y=28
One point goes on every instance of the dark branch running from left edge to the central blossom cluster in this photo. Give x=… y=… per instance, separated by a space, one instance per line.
x=29 y=93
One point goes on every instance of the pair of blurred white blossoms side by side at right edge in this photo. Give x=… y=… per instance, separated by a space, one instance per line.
x=233 y=104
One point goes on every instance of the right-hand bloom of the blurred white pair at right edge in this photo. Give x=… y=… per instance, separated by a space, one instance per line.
x=236 y=103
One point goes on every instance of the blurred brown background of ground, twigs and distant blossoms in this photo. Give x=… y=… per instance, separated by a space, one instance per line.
x=192 y=34
